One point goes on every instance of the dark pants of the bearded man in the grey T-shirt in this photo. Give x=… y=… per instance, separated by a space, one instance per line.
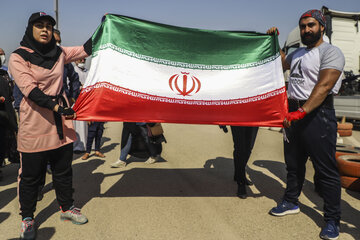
x=314 y=137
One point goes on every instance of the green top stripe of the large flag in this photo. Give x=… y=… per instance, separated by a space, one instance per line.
x=184 y=45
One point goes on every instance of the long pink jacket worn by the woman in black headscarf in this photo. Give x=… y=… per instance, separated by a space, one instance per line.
x=37 y=129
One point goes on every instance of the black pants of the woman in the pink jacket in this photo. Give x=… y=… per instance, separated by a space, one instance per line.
x=32 y=175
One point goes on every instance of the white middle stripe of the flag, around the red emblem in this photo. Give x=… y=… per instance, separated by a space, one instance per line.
x=151 y=78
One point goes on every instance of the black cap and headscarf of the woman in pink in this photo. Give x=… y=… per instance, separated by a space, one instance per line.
x=45 y=54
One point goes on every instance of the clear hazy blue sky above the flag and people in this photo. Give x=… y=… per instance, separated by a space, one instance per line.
x=78 y=19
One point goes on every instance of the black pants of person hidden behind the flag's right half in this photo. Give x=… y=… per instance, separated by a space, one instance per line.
x=244 y=140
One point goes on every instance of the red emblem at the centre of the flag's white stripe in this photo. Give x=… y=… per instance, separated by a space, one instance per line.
x=189 y=84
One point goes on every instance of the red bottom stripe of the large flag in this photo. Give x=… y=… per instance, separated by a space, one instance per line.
x=104 y=104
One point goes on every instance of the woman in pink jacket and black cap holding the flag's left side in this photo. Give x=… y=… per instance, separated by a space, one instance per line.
x=45 y=130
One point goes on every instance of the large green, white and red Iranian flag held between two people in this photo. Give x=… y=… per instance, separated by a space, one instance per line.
x=143 y=71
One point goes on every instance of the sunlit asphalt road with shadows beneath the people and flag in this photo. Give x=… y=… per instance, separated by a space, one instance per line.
x=190 y=194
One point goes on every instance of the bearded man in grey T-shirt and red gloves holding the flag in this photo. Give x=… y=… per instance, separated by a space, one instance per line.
x=310 y=125
